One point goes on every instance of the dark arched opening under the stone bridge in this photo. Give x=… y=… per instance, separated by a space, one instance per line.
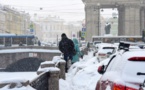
x=24 y=65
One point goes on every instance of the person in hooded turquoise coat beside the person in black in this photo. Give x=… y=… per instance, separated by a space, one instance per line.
x=78 y=52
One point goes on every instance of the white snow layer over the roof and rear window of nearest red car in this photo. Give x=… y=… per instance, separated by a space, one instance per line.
x=125 y=66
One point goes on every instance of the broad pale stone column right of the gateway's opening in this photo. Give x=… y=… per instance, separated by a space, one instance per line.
x=132 y=20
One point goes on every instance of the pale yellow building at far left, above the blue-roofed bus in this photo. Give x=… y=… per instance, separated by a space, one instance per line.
x=16 y=22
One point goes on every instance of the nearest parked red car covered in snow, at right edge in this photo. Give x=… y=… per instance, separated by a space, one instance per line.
x=124 y=71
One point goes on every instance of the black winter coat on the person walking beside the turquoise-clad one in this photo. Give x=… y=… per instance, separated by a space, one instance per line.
x=66 y=46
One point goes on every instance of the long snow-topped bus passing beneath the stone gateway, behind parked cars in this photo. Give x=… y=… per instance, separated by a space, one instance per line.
x=116 y=39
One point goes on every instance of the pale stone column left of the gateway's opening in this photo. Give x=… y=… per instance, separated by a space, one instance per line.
x=92 y=13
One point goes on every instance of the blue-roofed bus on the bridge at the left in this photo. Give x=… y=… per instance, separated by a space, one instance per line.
x=8 y=40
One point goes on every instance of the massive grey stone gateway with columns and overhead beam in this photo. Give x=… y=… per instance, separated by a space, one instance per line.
x=131 y=14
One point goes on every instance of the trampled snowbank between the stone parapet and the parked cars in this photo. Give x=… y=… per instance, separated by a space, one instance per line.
x=82 y=75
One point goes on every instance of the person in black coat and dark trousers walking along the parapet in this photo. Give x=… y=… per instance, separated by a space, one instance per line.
x=66 y=46
